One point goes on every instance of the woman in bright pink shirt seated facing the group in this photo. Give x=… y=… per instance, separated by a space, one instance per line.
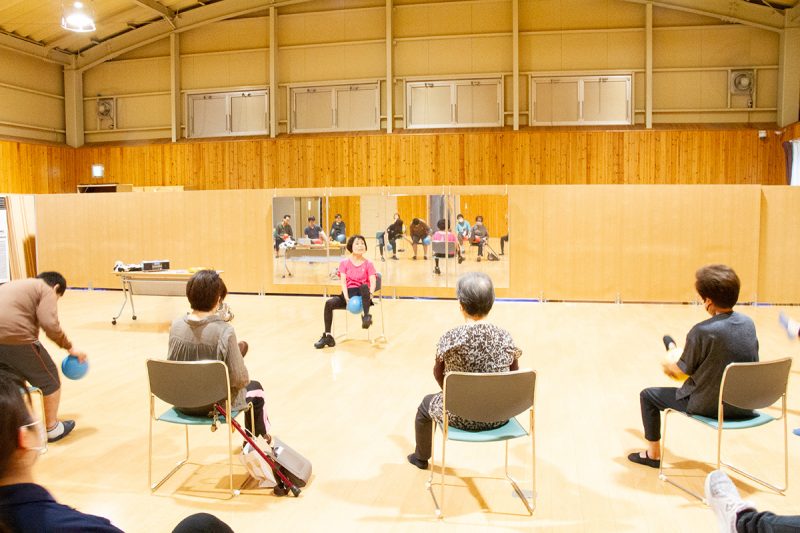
x=358 y=277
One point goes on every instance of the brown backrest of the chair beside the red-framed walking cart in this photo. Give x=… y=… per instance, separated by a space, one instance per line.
x=188 y=383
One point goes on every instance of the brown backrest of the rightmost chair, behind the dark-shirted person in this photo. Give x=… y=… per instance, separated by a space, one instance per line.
x=755 y=385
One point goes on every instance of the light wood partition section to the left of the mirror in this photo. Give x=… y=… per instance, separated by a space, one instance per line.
x=83 y=235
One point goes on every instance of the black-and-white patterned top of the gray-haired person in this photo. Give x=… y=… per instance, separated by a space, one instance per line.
x=474 y=347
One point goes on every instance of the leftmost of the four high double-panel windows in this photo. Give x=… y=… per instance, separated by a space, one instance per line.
x=228 y=114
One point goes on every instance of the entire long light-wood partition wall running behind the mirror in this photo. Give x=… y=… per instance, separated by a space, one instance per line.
x=601 y=243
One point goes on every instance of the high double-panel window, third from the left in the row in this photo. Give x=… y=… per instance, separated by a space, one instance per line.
x=454 y=103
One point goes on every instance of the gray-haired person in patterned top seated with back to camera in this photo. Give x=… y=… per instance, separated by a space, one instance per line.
x=476 y=346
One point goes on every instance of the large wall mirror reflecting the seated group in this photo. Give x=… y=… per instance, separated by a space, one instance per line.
x=415 y=240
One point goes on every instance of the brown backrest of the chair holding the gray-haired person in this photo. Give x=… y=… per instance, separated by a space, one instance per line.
x=489 y=397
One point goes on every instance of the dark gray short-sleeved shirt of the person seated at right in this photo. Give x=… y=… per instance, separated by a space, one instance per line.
x=710 y=346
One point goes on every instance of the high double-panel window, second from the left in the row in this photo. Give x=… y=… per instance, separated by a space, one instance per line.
x=354 y=107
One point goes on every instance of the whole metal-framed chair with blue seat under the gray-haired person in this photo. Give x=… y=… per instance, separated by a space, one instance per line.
x=487 y=398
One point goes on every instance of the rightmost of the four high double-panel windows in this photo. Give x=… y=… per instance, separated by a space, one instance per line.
x=567 y=100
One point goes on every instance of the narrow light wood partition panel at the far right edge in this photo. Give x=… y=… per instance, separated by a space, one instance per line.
x=780 y=245
